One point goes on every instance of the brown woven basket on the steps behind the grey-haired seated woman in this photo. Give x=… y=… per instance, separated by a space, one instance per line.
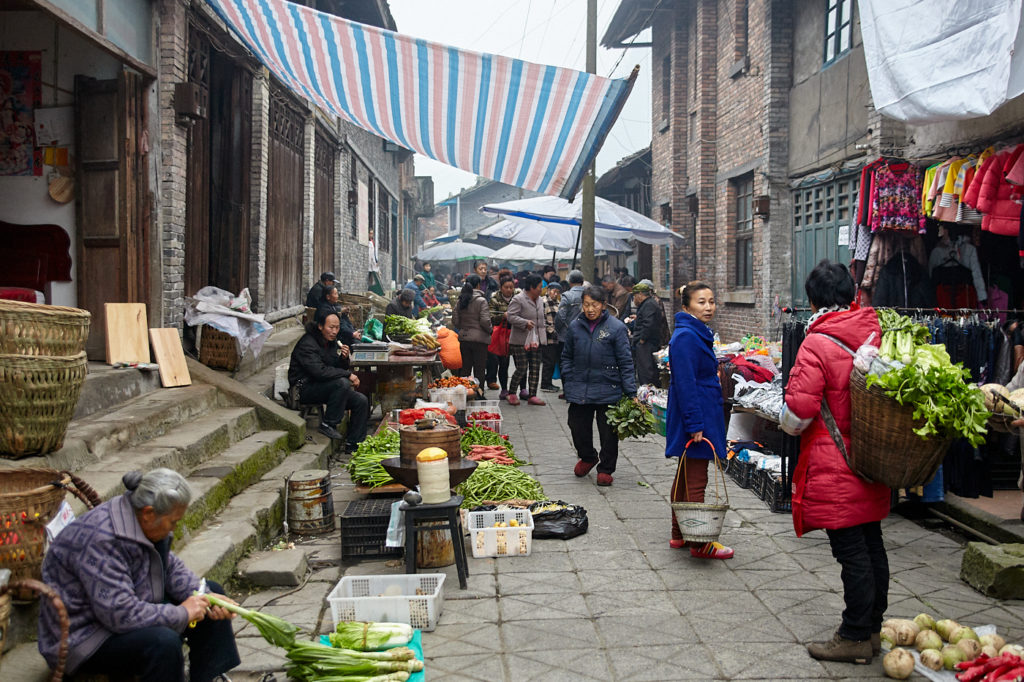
x=29 y=499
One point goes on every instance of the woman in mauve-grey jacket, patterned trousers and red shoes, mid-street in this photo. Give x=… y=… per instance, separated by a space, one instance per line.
x=526 y=315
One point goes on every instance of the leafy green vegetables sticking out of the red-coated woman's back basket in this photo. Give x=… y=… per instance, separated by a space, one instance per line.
x=923 y=376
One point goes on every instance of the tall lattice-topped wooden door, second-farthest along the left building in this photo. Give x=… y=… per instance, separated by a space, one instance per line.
x=284 y=215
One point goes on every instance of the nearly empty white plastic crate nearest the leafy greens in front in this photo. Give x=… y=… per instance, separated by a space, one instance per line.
x=419 y=604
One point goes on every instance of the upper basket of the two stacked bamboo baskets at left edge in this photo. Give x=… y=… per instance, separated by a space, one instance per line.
x=31 y=329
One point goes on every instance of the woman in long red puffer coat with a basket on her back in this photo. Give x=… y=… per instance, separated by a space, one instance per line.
x=827 y=494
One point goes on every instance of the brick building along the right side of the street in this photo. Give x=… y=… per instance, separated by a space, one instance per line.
x=762 y=118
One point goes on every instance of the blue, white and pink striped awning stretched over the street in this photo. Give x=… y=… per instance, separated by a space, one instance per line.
x=534 y=126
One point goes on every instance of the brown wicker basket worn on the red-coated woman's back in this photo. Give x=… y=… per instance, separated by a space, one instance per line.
x=883 y=445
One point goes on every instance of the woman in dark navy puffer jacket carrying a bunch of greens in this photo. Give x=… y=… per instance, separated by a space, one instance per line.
x=598 y=372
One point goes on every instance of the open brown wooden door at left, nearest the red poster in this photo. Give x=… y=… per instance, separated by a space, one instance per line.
x=112 y=203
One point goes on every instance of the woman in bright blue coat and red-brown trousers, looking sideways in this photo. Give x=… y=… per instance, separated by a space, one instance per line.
x=695 y=411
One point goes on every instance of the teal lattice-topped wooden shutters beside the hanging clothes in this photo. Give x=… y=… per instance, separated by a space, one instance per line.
x=821 y=214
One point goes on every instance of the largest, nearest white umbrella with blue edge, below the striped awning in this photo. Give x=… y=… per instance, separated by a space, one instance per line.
x=608 y=216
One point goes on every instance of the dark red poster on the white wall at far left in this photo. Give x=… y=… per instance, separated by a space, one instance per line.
x=21 y=95
